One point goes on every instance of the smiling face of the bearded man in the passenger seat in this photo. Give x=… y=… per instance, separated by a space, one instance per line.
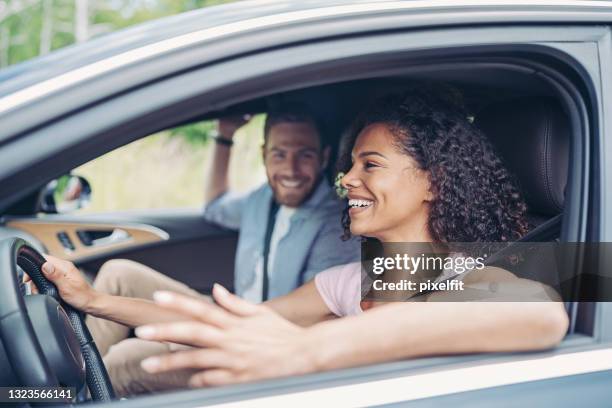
x=294 y=161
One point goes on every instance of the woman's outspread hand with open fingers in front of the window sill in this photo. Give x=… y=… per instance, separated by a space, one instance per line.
x=237 y=341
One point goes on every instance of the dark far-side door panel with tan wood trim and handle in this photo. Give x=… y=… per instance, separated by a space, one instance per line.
x=177 y=243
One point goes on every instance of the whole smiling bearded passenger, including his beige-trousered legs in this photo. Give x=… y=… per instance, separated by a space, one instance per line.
x=289 y=230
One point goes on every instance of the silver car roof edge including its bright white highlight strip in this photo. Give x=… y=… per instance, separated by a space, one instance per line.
x=164 y=35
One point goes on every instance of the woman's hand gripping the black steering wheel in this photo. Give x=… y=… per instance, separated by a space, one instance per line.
x=72 y=287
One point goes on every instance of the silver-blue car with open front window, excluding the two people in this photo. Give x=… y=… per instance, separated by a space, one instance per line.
x=537 y=73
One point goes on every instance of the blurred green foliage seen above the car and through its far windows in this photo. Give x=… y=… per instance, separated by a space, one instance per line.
x=164 y=170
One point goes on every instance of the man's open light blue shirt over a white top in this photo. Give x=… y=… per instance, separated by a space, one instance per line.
x=311 y=245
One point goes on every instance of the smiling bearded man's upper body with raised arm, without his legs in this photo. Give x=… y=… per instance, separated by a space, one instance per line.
x=290 y=227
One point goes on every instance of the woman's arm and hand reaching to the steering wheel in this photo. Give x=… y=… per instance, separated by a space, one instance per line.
x=75 y=291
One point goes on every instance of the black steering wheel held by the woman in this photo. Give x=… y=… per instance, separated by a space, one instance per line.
x=46 y=340
